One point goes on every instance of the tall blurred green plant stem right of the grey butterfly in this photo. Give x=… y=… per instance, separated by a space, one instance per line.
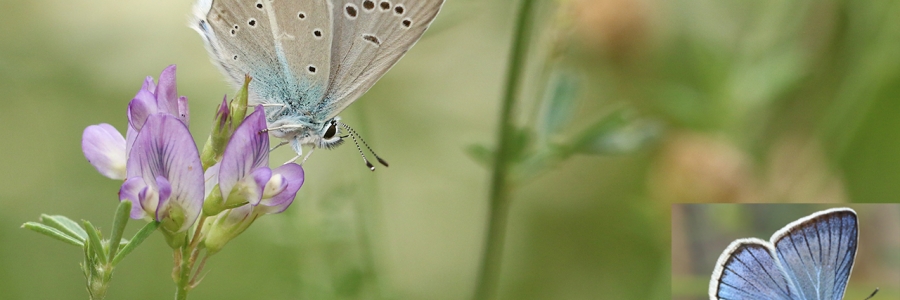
x=498 y=208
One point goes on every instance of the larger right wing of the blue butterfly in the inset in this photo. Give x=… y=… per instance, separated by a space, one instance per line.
x=817 y=252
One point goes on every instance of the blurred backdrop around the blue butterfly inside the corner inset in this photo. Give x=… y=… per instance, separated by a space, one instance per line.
x=701 y=232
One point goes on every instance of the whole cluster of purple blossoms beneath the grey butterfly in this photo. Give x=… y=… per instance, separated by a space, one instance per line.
x=164 y=172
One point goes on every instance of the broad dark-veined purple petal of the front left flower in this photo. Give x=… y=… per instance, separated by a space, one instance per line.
x=164 y=147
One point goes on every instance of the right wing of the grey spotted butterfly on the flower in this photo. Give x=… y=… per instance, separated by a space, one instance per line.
x=369 y=38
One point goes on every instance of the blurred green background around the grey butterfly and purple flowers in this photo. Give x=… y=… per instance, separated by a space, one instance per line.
x=760 y=101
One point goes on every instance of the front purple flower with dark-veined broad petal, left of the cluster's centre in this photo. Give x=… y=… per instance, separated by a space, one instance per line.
x=164 y=174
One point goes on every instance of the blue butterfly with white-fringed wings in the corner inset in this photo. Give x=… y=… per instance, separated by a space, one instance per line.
x=810 y=258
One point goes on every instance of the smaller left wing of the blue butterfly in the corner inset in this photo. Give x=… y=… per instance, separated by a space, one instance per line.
x=748 y=270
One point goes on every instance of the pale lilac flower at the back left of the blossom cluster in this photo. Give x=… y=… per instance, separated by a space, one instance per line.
x=107 y=150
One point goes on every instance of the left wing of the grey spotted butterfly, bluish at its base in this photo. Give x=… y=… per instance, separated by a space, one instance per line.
x=284 y=45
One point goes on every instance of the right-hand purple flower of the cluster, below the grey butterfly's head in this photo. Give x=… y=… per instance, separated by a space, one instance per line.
x=247 y=187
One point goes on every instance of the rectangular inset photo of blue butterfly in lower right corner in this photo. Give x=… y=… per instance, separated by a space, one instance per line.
x=785 y=251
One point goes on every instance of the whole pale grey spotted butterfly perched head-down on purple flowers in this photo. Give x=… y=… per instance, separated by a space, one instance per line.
x=310 y=59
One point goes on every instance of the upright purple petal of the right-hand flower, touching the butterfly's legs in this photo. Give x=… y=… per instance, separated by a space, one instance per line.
x=247 y=150
